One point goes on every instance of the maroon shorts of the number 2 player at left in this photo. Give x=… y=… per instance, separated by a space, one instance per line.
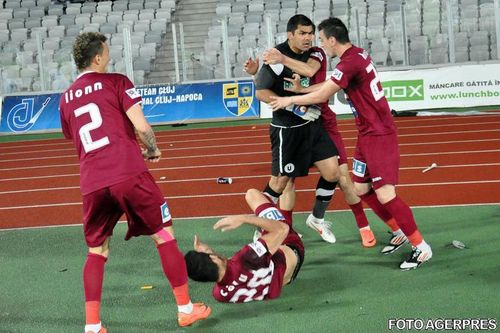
x=138 y=197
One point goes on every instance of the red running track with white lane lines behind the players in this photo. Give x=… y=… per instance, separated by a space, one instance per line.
x=39 y=179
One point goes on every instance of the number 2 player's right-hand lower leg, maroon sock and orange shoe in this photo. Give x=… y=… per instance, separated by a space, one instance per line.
x=174 y=268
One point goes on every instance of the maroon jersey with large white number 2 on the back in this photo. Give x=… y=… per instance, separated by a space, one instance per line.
x=93 y=115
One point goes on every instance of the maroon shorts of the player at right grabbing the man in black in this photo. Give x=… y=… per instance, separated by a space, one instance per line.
x=376 y=160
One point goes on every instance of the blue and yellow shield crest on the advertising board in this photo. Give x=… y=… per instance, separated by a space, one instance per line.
x=237 y=97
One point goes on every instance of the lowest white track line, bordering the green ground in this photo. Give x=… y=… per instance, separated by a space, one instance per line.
x=219 y=216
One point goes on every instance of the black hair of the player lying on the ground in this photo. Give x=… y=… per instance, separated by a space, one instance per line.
x=200 y=267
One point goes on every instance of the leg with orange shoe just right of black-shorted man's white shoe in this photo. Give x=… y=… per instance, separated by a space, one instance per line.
x=354 y=202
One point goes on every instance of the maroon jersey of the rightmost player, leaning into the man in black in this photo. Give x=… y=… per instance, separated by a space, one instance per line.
x=356 y=74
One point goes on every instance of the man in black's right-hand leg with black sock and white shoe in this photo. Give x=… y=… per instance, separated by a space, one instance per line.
x=329 y=170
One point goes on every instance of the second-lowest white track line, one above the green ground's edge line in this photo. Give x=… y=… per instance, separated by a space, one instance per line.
x=242 y=193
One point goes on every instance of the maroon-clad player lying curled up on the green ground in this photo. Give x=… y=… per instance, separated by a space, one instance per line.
x=261 y=268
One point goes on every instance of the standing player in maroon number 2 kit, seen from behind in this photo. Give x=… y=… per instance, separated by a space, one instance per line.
x=99 y=113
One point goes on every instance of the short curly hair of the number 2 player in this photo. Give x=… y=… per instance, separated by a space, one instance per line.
x=86 y=46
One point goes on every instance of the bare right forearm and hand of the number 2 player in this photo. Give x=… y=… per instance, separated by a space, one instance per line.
x=146 y=134
